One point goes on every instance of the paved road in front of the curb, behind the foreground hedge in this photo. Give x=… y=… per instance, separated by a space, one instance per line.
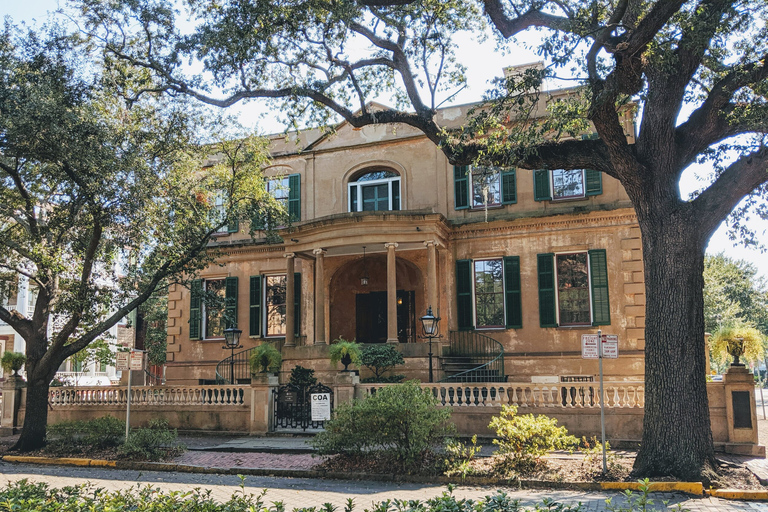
x=300 y=492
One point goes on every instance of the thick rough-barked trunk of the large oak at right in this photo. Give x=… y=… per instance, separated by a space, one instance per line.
x=677 y=435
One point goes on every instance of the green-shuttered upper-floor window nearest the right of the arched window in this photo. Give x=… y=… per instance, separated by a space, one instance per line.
x=478 y=186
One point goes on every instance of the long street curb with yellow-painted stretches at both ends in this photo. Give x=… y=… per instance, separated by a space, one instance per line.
x=691 y=488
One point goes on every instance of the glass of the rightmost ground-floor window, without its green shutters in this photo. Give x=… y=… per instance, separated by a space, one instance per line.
x=573 y=289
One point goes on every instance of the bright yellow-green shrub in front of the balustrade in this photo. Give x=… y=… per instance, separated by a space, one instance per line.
x=524 y=439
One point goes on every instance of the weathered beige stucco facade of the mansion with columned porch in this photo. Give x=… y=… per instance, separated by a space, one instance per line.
x=425 y=238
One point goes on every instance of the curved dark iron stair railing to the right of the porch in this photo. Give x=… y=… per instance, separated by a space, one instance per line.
x=473 y=357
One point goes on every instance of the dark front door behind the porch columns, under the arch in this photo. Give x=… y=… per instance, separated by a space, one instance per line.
x=371 y=317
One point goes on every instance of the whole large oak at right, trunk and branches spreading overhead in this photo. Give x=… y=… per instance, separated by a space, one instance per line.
x=695 y=71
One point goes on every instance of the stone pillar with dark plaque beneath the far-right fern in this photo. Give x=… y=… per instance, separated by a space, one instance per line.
x=741 y=413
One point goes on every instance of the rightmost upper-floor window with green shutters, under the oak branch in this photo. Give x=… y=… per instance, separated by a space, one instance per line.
x=562 y=184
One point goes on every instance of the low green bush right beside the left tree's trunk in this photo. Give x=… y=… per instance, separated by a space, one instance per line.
x=79 y=436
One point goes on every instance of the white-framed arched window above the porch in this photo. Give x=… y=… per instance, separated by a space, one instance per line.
x=375 y=190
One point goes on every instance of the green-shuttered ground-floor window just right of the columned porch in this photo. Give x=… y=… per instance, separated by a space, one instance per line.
x=488 y=293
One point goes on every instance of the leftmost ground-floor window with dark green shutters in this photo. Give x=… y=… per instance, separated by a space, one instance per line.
x=212 y=307
